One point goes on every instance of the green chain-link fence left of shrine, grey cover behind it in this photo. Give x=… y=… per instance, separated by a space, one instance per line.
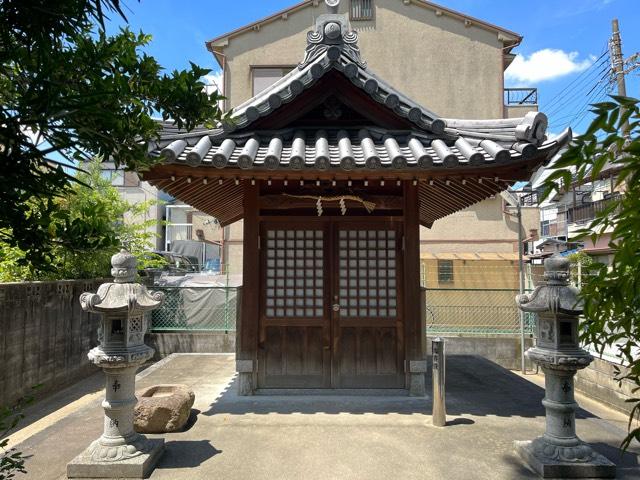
x=197 y=309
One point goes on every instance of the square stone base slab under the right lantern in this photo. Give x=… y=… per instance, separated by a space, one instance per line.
x=554 y=461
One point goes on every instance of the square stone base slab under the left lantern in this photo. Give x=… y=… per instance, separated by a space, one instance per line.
x=138 y=466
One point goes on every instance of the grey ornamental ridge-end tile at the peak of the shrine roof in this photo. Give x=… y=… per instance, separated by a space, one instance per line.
x=332 y=35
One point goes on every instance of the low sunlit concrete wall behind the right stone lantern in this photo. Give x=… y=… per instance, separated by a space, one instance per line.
x=598 y=382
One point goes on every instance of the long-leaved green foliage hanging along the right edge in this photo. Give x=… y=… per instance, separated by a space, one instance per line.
x=612 y=292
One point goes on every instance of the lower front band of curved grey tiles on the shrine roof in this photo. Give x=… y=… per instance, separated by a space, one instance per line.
x=350 y=149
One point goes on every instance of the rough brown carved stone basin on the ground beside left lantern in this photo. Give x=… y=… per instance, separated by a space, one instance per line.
x=163 y=408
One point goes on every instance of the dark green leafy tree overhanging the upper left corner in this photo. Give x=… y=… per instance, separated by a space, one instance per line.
x=69 y=91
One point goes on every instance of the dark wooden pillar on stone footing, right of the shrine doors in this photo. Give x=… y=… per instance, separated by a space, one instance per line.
x=415 y=329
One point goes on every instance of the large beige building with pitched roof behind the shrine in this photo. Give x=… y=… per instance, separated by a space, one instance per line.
x=448 y=62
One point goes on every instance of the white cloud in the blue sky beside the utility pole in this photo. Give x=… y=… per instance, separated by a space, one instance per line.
x=545 y=64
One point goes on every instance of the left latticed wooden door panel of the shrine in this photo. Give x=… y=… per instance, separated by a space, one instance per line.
x=295 y=329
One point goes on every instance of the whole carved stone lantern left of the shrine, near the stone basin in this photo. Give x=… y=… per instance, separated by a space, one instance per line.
x=120 y=451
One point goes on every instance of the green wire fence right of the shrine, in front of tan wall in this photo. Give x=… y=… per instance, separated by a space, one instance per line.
x=456 y=311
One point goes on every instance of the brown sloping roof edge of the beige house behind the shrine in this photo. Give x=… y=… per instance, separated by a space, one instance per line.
x=510 y=37
